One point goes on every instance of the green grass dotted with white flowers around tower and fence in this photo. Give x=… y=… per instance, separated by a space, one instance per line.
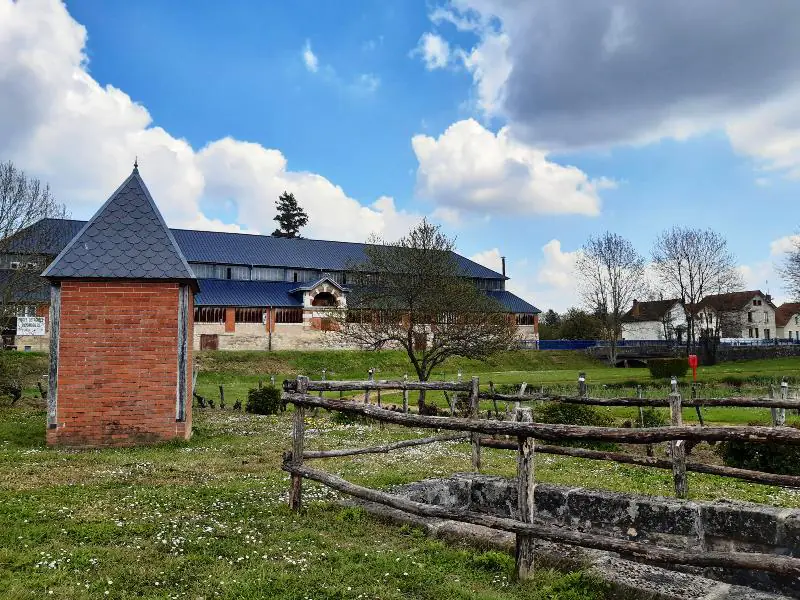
x=207 y=518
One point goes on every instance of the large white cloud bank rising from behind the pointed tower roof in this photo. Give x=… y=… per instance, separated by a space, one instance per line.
x=82 y=138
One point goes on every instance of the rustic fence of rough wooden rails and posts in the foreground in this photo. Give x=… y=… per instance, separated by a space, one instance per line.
x=520 y=435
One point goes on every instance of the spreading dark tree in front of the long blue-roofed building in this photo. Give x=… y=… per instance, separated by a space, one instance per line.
x=411 y=294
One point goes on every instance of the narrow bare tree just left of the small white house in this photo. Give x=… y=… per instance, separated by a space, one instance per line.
x=611 y=273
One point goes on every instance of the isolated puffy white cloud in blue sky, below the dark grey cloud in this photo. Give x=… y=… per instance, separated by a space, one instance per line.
x=470 y=168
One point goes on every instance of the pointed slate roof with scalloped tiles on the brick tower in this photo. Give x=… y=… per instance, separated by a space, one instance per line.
x=126 y=239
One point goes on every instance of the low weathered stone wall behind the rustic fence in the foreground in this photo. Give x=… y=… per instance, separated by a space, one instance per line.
x=698 y=526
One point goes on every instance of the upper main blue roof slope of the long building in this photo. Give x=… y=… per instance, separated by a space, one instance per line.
x=239 y=248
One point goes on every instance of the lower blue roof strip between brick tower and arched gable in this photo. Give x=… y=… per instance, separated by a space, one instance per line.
x=232 y=292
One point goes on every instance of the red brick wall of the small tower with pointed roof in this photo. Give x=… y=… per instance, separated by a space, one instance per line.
x=117 y=364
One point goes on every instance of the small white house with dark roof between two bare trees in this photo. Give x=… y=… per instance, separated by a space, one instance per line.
x=655 y=320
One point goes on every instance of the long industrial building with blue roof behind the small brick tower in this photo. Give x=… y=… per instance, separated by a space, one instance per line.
x=255 y=291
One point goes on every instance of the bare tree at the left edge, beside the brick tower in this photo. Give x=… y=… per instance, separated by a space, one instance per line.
x=24 y=251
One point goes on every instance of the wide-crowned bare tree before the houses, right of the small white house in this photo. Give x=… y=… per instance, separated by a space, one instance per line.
x=691 y=264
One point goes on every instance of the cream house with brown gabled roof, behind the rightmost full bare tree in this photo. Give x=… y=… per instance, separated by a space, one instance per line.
x=749 y=314
